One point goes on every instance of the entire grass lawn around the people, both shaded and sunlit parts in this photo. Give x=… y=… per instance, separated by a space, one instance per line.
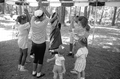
x=103 y=61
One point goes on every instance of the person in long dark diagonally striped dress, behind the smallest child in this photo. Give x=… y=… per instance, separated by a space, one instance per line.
x=55 y=35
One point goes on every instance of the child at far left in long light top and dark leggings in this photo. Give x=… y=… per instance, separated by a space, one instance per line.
x=23 y=29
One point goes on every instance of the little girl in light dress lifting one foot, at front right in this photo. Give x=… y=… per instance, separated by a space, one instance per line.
x=80 y=62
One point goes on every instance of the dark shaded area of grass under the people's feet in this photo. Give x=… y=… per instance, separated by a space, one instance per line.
x=101 y=64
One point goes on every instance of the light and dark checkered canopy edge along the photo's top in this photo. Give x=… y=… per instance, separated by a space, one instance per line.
x=68 y=2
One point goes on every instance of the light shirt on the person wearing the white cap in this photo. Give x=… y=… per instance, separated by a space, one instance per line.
x=38 y=29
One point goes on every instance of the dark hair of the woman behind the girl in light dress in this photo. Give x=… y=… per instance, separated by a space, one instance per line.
x=84 y=22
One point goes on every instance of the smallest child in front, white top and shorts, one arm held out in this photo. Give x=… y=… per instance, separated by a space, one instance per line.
x=59 y=67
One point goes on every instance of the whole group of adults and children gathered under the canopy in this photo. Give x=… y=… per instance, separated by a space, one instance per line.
x=37 y=24
